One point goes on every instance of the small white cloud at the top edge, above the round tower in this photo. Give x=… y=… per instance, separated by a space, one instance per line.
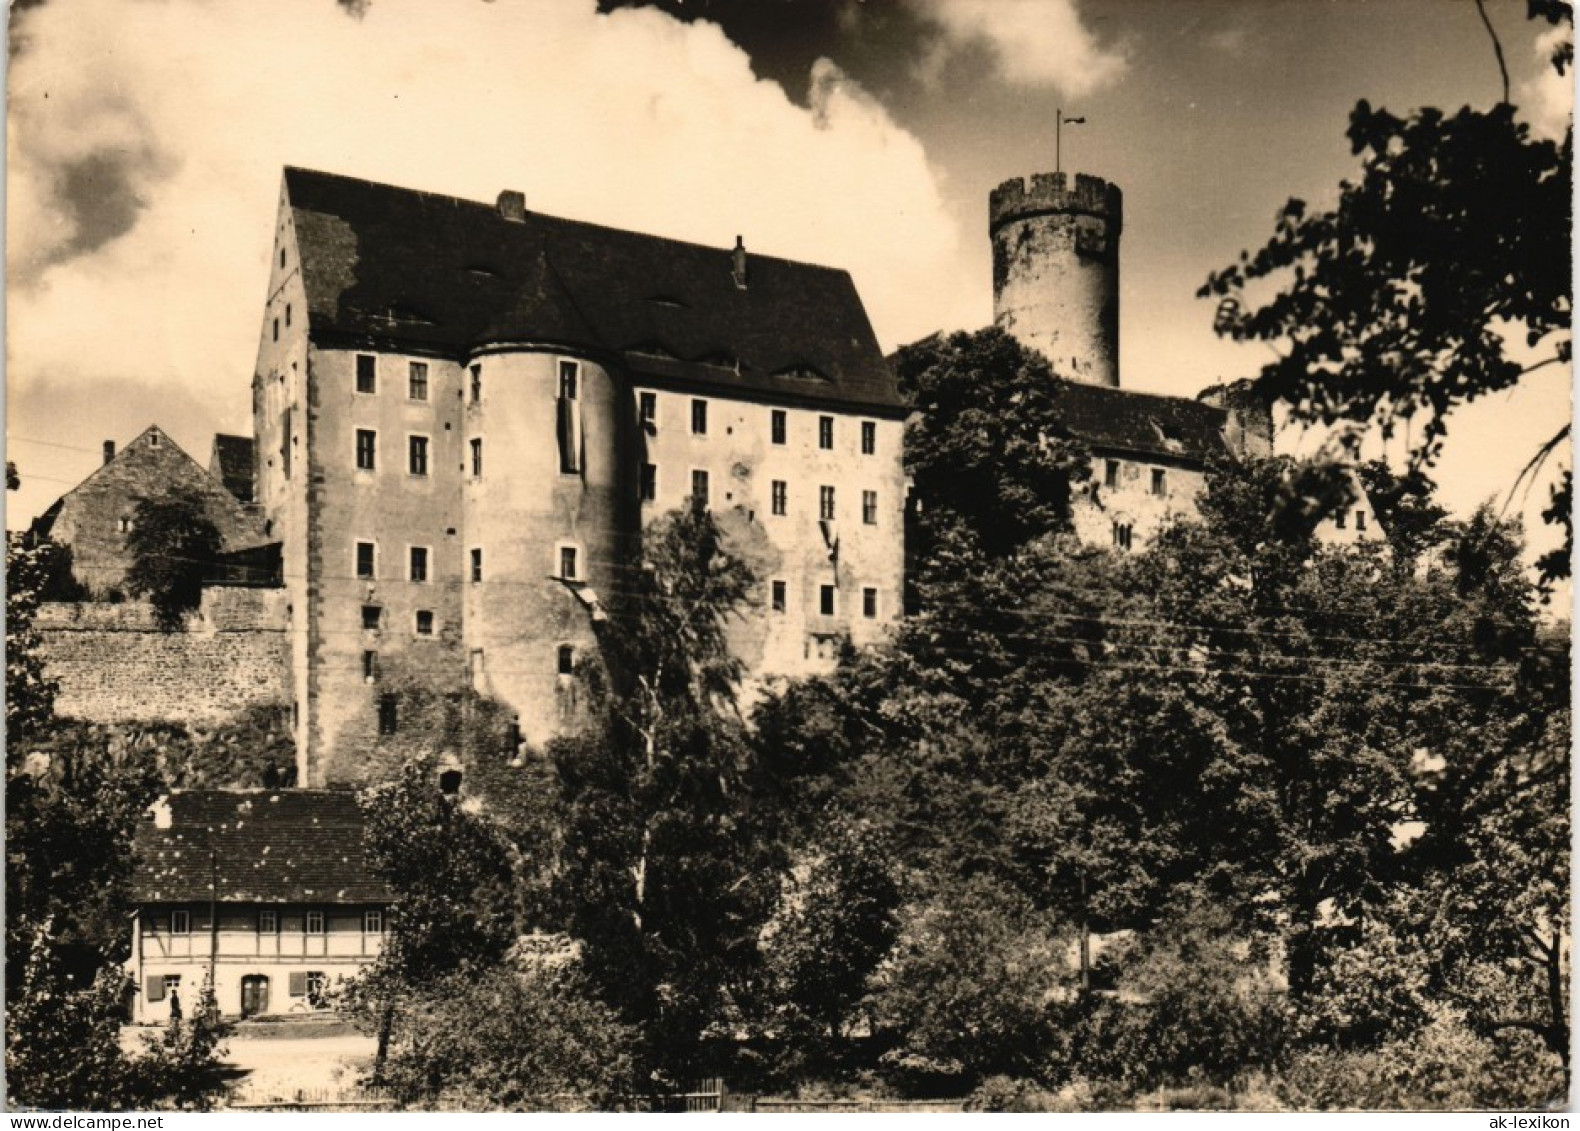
x=1034 y=43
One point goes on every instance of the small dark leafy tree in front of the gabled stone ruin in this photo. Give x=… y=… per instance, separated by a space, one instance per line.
x=173 y=547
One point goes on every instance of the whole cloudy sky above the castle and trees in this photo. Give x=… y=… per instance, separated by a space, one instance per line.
x=148 y=137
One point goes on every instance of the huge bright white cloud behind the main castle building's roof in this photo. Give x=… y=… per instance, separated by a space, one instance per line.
x=146 y=145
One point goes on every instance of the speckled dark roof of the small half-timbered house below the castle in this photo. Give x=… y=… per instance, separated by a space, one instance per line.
x=265 y=846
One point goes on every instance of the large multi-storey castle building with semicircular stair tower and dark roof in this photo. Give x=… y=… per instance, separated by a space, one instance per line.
x=465 y=416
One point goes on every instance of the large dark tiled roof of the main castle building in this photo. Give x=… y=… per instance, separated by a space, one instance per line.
x=438 y=274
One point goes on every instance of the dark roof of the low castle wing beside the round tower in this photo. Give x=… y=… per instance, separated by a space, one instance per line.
x=1146 y=424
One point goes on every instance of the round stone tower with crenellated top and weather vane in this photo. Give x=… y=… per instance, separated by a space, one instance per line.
x=1056 y=271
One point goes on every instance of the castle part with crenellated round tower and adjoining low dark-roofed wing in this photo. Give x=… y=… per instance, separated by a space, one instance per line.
x=1056 y=291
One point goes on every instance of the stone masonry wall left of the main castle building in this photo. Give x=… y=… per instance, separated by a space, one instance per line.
x=116 y=666
